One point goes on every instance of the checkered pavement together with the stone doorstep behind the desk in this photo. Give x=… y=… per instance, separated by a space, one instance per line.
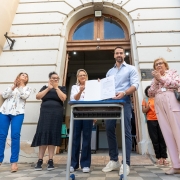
x=142 y=168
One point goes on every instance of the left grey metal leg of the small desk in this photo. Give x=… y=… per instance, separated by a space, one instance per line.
x=69 y=147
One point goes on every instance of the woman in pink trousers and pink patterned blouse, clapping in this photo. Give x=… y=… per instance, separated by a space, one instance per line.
x=167 y=108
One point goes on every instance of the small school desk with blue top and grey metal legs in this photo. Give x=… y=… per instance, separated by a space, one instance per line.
x=84 y=110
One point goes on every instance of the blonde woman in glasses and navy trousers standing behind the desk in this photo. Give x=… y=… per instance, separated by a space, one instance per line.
x=81 y=126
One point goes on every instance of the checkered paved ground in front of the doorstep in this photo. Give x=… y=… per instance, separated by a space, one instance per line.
x=26 y=172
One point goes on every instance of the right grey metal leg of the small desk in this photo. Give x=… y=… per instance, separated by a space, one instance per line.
x=123 y=144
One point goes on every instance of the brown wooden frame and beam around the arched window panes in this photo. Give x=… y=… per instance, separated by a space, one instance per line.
x=104 y=44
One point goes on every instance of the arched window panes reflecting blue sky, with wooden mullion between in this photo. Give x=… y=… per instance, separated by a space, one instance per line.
x=105 y=28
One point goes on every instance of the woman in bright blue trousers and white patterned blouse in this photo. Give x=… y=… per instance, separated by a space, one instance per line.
x=12 y=113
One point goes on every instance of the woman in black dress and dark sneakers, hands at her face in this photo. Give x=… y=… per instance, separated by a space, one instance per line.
x=48 y=132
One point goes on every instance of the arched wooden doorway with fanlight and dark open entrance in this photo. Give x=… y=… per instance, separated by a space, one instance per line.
x=90 y=46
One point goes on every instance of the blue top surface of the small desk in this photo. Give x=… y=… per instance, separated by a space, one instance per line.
x=107 y=101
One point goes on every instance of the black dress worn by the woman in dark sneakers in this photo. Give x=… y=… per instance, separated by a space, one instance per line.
x=49 y=126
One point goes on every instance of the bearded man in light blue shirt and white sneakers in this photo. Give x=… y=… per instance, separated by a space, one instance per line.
x=126 y=82
